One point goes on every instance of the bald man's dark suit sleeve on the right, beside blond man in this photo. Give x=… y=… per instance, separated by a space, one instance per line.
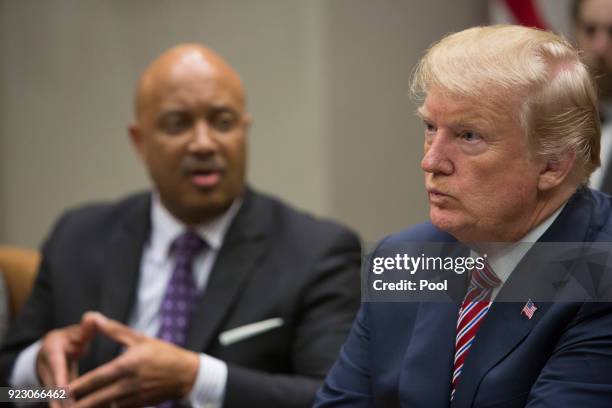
x=328 y=305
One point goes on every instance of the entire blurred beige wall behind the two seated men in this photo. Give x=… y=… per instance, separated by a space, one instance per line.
x=334 y=128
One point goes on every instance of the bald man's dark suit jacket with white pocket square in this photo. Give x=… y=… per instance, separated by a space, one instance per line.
x=274 y=262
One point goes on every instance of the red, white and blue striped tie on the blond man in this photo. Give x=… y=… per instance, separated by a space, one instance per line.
x=473 y=310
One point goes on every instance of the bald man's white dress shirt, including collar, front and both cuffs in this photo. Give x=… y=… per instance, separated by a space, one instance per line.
x=155 y=271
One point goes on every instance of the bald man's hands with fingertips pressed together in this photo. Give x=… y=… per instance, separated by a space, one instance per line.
x=149 y=371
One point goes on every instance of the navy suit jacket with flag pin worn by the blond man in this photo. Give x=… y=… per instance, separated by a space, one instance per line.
x=401 y=354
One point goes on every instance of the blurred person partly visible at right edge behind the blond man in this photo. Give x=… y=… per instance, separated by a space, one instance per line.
x=593 y=30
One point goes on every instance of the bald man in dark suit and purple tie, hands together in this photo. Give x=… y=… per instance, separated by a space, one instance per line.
x=204 y=291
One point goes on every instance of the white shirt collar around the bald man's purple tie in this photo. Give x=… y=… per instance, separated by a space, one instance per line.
x=165 y=228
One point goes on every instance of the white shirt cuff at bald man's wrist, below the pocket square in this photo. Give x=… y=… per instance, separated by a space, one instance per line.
x=209 y=388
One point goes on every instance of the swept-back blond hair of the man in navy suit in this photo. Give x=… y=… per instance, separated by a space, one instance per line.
x=536 y=70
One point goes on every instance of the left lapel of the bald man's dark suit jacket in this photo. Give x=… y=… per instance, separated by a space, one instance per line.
x=122 y=268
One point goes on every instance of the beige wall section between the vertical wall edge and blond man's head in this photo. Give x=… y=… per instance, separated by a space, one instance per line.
x=375 y=136
